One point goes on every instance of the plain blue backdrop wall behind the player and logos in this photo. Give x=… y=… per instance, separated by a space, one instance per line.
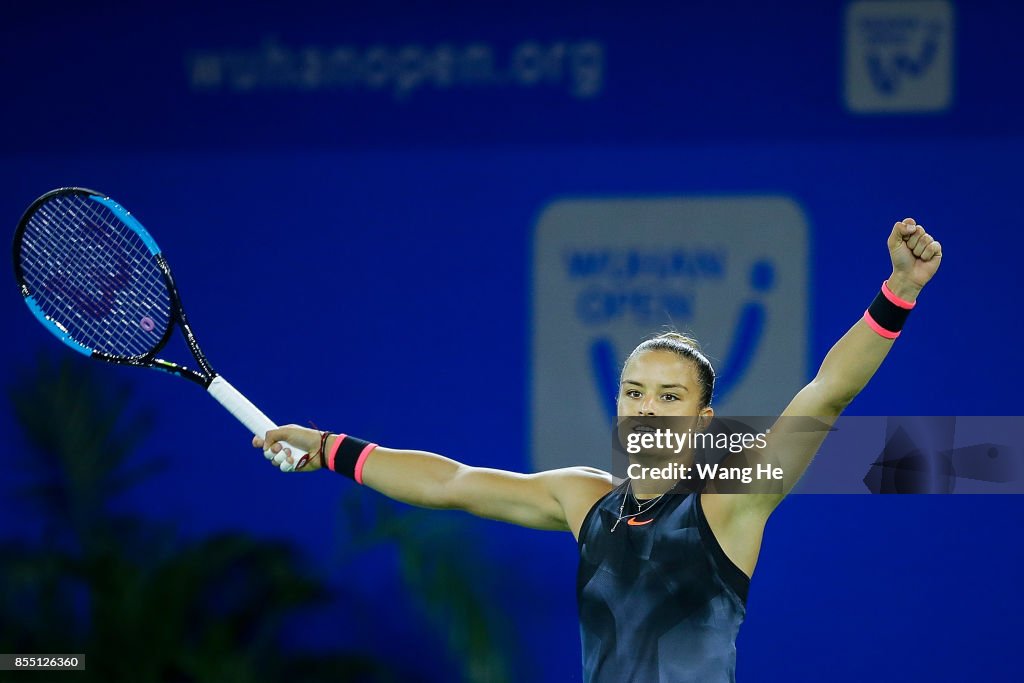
x=362 y=259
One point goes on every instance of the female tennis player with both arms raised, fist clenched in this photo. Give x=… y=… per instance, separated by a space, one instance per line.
x=663 y=580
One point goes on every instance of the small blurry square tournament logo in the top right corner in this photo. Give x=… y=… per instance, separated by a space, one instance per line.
x=900 y=56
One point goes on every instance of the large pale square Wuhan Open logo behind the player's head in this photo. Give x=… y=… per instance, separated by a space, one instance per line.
x=609 y=274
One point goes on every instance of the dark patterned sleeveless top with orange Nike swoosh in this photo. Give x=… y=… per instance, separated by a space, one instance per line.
x=660 y=603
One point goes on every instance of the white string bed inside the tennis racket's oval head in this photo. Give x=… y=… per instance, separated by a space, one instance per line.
x=94 y=275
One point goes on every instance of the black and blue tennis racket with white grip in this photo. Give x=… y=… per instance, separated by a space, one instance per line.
x=95 y=278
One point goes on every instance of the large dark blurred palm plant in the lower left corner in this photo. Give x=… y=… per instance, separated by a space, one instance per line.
x=142 y=604
